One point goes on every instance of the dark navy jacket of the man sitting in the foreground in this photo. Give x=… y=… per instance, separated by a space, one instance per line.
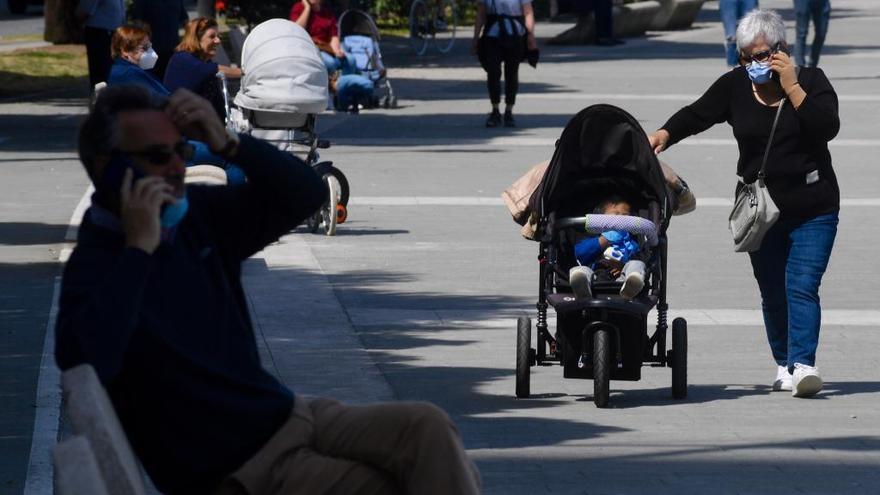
x=169 y=333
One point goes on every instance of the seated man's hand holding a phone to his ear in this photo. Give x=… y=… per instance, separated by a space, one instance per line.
x=139 y=209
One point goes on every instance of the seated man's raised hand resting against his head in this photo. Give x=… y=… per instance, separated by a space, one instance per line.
x=196 y=119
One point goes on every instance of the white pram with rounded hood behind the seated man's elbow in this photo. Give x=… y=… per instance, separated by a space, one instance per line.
x=283 y=88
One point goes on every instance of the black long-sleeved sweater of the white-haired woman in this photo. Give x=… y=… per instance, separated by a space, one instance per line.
x=800 y=146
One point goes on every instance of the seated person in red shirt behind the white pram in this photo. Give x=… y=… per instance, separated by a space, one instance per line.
x=318 y=20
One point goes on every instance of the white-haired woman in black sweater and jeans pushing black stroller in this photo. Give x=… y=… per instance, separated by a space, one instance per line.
x=794 y=254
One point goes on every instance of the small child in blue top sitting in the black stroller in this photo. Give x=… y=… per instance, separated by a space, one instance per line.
x=612 y=251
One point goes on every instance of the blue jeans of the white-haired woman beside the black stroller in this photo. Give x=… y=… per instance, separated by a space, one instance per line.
x=789 y=268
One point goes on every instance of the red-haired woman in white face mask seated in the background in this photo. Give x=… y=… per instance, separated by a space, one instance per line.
x=133 y=56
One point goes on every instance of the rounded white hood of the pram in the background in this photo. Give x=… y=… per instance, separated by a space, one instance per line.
x=283 y=71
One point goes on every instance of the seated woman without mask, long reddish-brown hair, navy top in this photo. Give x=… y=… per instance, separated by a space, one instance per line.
x=192 y=66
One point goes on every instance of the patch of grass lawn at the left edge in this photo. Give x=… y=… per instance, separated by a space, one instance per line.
x=35 y=70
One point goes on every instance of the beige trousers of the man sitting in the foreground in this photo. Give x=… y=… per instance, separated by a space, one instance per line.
x=327 y=447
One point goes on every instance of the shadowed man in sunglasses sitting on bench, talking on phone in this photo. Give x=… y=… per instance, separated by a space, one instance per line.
x=152 y=299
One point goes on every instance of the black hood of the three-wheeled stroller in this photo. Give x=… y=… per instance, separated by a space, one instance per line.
x=603 y=150
